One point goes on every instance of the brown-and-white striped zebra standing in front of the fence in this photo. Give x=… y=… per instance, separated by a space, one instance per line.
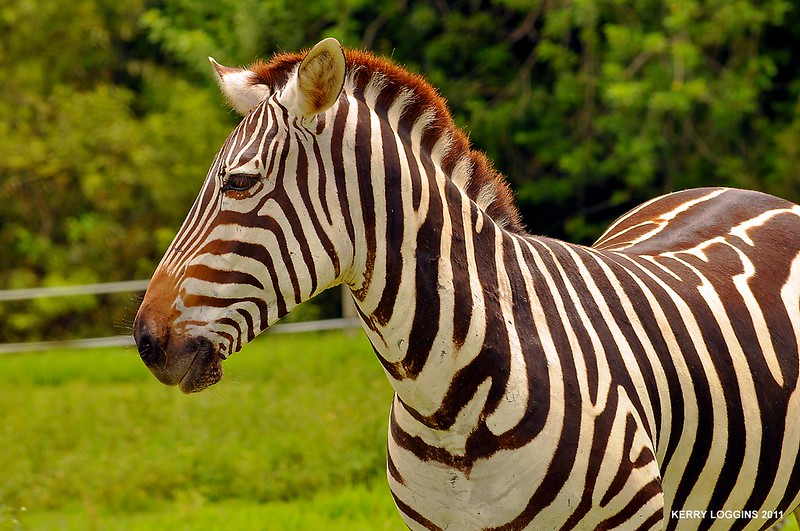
x=649 y=381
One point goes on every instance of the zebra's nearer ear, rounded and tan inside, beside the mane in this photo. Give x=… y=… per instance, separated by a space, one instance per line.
x=318 y=82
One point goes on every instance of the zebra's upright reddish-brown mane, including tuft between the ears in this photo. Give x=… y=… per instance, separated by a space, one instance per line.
x=387 y=82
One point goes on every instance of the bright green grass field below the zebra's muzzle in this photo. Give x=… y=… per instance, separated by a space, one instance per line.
x=293 y=437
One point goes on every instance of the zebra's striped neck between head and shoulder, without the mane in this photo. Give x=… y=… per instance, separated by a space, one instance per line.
x=427 y=271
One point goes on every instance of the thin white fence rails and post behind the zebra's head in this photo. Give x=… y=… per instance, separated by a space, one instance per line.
x=348 y=321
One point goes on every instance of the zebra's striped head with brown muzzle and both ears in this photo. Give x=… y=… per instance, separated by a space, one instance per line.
x=263 y=234
